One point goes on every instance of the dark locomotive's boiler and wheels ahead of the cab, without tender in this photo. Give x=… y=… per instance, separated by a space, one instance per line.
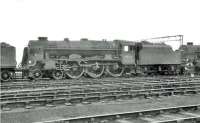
x=58 y=59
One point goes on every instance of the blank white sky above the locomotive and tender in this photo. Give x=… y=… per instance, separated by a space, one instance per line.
x=22 y=20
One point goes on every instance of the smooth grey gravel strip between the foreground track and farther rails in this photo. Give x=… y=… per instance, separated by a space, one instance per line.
x=50 y=113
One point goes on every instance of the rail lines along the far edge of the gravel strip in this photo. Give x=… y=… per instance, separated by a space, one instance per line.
x=93 y=93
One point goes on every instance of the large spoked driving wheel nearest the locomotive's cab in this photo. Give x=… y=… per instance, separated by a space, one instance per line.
x=115 y=70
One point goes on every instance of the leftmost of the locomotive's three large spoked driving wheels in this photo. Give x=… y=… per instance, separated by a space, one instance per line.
x=75 y=71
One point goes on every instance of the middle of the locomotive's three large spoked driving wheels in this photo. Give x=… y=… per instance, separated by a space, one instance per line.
x=95 y=71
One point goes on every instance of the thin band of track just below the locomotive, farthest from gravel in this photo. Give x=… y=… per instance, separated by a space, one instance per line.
x=60 y=83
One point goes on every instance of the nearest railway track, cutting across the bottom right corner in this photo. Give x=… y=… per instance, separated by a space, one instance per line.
x=178 y=114
